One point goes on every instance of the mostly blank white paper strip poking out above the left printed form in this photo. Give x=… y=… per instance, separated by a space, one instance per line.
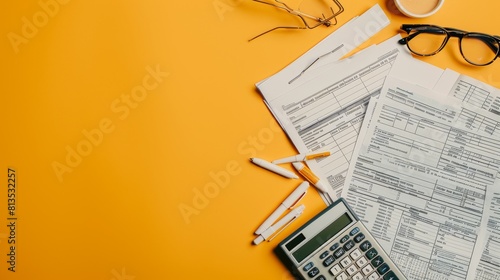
x=345 y=39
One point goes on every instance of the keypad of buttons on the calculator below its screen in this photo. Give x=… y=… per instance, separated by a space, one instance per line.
x=350 y=257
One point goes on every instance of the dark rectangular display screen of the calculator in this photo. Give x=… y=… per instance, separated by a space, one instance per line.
x=322 y=237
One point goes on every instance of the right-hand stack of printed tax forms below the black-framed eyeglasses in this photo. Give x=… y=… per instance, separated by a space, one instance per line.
x=424 y=175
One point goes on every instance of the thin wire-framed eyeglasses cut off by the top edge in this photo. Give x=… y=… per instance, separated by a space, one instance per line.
x=322 y=20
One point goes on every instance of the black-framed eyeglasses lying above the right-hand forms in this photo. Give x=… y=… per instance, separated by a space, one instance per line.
x=476 y=48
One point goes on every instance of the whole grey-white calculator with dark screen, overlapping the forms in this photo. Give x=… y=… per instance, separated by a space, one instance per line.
x=336 y=245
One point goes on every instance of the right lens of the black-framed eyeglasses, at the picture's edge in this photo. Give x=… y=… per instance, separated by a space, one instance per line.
x=479 y=49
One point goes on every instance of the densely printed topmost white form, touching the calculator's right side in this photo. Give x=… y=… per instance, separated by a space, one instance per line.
x=419 y=182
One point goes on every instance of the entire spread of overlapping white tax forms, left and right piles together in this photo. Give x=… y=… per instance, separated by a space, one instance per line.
x=415 y=152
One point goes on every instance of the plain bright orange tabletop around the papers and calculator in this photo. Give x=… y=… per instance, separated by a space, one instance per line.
x=129 y=126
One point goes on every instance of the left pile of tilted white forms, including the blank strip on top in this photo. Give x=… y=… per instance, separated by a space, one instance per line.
x=320 y=101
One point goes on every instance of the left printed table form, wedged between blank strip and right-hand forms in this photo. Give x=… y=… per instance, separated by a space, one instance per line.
x=326 y=113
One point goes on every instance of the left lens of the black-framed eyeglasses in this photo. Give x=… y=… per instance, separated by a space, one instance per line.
x=428 y=41
